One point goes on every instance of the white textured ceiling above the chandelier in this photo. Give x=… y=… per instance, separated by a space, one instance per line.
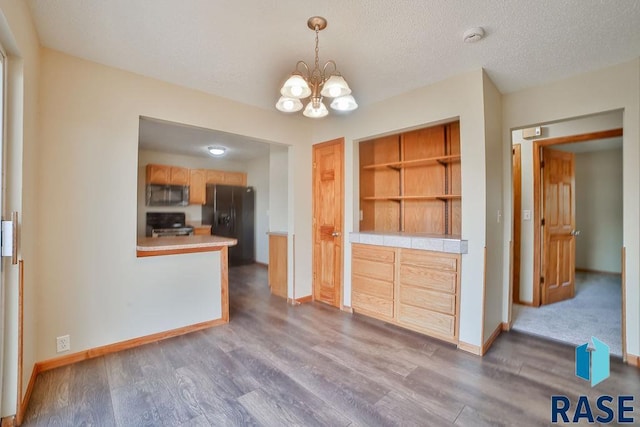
x=243 y=50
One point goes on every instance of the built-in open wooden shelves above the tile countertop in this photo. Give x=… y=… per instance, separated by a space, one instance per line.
x=410 y=182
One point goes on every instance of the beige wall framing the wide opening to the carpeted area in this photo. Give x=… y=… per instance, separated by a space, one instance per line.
x=604 y=90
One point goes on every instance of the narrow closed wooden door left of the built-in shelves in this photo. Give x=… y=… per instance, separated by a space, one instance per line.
x=327 y=221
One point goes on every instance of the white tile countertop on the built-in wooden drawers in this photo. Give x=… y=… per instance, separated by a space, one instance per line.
x=427 y=242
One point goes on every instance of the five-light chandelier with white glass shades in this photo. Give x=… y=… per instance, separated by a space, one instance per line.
x=316 y=84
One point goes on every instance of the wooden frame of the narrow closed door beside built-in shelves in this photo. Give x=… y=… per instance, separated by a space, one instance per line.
x=340 y=261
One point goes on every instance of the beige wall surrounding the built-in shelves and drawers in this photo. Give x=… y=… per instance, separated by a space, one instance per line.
x=459 y=97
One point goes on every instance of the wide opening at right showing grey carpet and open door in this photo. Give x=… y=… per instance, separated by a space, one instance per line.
x=596 y=308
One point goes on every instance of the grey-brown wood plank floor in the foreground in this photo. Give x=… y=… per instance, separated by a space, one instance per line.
x=276 y=365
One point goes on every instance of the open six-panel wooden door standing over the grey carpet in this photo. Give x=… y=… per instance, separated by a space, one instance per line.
x=558 y=251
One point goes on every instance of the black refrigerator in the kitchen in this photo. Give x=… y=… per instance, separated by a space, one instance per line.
x=229 y=210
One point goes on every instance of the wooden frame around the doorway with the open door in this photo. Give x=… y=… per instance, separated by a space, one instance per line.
x=537 y=193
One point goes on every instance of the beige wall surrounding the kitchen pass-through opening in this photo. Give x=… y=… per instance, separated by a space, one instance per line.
x=93 y=287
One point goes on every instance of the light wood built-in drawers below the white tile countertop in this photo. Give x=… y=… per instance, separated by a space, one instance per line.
x=415 y=289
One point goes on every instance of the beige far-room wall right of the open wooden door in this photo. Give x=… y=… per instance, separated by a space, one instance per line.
x=599 y=210
